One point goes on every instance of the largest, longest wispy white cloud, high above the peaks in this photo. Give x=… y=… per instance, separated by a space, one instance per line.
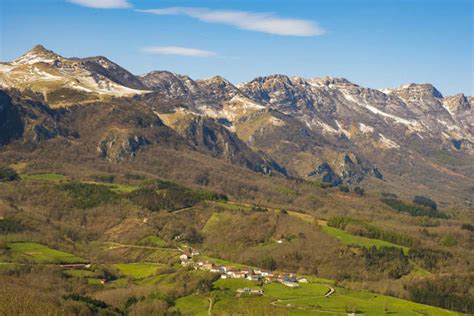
x=252 y=21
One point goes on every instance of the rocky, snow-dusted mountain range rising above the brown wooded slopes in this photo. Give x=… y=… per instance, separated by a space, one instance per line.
x=327 y=130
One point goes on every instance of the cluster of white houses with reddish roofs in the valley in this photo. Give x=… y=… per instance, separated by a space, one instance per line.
x=251 y=274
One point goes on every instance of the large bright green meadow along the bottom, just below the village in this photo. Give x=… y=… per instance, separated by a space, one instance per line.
x=307 y=300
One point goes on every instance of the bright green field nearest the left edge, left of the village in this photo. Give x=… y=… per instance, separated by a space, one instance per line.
x=41 y=253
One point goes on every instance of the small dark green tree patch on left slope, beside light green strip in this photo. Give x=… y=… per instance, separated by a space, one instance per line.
x=86 y=195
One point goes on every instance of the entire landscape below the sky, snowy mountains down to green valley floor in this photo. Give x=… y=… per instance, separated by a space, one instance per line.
x=107 y=179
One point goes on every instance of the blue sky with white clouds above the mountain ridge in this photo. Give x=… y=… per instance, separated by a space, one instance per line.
x=383 y=43
